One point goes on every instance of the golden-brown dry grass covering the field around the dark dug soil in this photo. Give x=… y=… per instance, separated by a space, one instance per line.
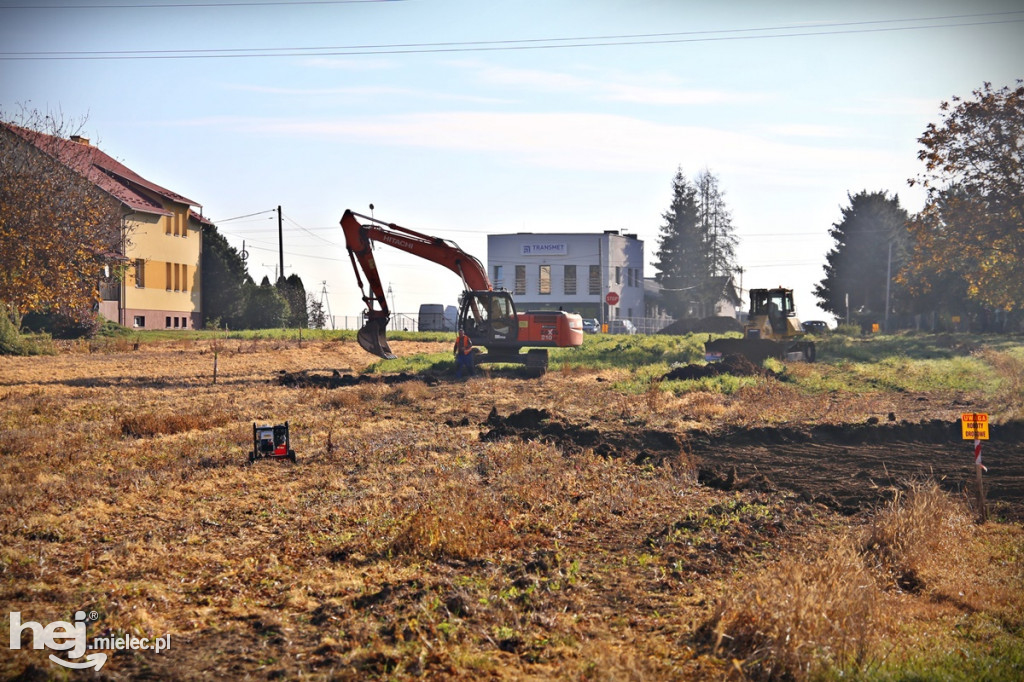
x=401 y=547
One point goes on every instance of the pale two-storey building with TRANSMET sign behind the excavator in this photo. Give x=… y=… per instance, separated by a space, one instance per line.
x=573 y=272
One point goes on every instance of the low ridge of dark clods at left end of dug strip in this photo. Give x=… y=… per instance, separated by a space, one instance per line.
x=642 y=446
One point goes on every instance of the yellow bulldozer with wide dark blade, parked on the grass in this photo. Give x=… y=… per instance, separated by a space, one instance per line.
x=772 y=331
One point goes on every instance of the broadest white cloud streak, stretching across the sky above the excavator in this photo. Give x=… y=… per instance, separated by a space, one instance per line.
x=583 y=143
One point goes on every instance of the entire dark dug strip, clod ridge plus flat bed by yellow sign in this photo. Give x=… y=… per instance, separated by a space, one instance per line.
x=850 y=468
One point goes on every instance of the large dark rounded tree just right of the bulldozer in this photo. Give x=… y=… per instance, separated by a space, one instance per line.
x=859 y=266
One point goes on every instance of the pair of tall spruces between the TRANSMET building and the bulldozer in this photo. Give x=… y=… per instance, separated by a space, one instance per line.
x=697 y=245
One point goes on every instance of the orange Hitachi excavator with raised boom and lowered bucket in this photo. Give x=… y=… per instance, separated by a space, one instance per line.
x=488 y=317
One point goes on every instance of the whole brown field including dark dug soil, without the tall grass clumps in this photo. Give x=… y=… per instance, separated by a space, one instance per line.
x=500 y=527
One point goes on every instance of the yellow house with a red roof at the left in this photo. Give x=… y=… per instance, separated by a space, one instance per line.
x=162 y=239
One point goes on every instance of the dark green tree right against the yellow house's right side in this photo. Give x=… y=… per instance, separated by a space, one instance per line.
x=226 y=281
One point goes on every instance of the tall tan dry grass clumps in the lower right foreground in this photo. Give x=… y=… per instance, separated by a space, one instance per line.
x=831 y=609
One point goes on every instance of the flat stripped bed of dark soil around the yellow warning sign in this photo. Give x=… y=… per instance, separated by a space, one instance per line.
x=854 y=468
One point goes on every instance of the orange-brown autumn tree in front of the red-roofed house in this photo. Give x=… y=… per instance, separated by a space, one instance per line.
x=58 y=230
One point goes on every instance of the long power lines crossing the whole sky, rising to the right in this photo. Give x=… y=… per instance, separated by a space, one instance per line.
x=526 y=45
